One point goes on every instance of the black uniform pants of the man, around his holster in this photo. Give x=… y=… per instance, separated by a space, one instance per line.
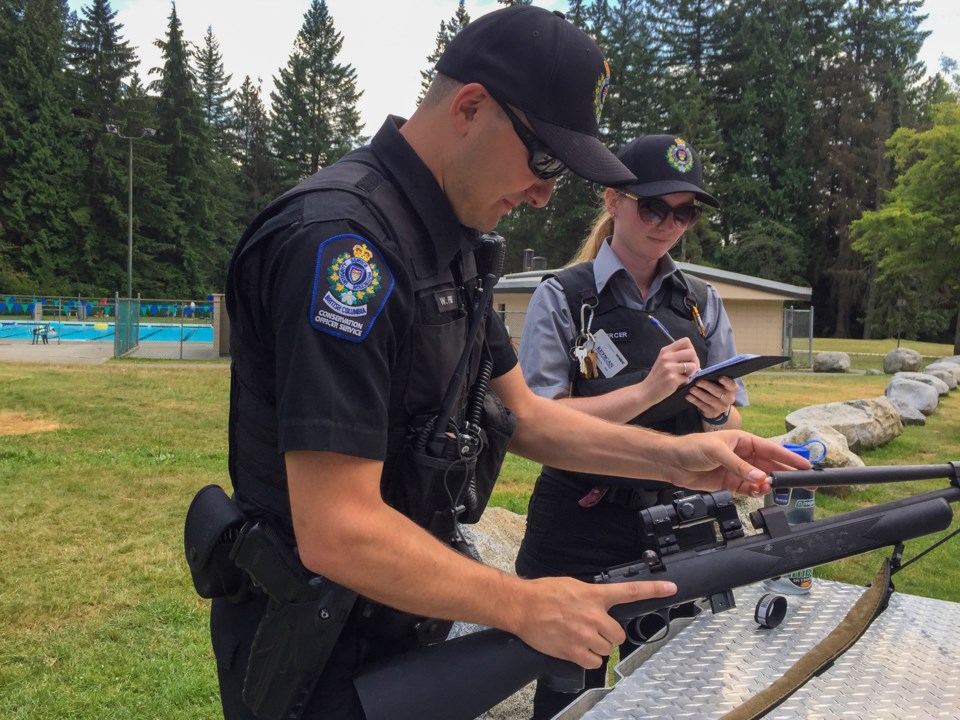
x=232 y=628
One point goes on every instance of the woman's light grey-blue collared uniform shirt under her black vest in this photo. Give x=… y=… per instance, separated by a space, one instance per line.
x=548 y=330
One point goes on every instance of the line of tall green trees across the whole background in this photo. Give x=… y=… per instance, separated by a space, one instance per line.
x=829 y=148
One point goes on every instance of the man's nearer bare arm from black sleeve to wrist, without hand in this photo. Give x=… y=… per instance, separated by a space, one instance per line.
x=347 y=533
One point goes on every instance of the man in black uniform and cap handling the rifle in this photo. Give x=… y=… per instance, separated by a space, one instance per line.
x=350 y=302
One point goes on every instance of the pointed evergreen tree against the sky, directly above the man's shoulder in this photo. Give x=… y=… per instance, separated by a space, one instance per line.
x=314 y=105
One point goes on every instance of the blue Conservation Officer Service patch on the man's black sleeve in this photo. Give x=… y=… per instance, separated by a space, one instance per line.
x=350 y=287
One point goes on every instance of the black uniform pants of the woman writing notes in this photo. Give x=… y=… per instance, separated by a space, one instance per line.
x=563 y=538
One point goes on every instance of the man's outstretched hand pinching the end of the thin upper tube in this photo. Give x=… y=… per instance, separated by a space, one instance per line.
x=730 y=460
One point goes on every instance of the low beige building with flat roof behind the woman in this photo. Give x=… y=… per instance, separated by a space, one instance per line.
x=755 y=305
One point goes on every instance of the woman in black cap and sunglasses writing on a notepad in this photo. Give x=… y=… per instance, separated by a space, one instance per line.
x=602 y=304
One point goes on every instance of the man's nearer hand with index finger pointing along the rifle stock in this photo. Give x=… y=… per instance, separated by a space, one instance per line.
x=569 y=619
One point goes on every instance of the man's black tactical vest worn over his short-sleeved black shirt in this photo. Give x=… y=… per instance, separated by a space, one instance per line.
x=257 y=469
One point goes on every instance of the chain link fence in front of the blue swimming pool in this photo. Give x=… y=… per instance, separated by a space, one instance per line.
x=173 y=329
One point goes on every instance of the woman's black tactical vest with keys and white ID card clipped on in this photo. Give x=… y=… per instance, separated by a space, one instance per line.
x=639 y=342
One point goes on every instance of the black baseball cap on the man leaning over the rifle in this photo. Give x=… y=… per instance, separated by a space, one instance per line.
x=538 y=62
